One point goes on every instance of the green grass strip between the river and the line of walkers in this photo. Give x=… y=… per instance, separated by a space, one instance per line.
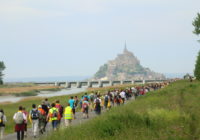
x=11 y=108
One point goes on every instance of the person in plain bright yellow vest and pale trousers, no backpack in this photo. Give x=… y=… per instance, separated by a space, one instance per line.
x=68 y=115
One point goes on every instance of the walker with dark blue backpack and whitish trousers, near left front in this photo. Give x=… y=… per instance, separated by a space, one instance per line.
x=34 y=119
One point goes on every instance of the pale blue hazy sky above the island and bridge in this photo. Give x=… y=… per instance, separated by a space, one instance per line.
x=41 y=38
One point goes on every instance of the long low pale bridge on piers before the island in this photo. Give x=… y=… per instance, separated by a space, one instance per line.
x=91 y=84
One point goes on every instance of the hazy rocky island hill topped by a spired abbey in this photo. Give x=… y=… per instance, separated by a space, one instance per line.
x=125 y=67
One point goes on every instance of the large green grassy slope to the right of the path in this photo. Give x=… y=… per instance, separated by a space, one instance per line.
x=171 y=113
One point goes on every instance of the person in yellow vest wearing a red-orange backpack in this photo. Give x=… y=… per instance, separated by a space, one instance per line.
x=54 y=116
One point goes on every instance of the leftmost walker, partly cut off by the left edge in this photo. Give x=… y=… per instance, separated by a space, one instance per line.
x=2 y=123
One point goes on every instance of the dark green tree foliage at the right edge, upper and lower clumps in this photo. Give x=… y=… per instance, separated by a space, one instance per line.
x=196 y=24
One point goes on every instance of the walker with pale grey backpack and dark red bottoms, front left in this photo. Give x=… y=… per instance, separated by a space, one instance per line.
x=19 y=118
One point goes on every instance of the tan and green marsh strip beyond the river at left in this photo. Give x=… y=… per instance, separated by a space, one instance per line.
x=28 y=89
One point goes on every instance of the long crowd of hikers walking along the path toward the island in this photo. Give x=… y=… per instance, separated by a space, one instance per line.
x=40 y=115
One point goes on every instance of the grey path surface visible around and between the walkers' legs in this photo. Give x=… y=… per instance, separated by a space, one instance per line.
x=78 y=121
